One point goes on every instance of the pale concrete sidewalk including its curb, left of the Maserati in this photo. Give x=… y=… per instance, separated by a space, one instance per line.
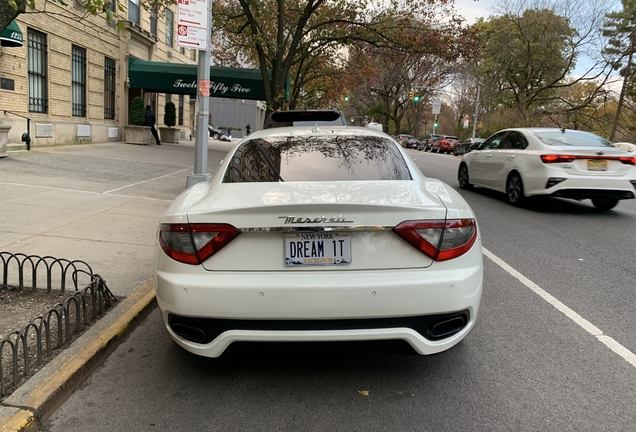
x=98 y=203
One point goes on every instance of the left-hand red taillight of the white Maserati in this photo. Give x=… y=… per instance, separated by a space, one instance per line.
x=194 y=243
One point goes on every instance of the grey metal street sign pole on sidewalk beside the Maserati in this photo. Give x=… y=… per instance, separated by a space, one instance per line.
x=200 y=173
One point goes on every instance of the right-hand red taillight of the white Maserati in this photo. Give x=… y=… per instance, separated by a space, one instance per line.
x=440 y=239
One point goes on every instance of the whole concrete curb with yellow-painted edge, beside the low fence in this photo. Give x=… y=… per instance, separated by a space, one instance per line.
x=31 y=405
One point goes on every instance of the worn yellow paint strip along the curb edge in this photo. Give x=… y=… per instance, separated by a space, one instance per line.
x=135 y=303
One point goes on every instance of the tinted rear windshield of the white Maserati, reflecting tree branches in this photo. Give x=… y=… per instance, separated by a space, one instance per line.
x=317 y=158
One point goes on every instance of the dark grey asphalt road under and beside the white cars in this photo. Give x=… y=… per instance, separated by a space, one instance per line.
x=552 y=349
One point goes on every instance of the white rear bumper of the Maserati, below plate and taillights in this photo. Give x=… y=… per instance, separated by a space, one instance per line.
x=320 y=306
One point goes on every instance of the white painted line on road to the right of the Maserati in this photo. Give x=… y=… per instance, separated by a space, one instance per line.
x=612 y=344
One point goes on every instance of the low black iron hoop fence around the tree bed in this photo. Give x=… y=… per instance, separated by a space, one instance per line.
x=24 y=351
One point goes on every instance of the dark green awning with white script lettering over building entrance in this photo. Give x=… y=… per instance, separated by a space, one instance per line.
x=176 y=78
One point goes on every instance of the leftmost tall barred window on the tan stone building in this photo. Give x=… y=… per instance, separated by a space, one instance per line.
x=37 y=66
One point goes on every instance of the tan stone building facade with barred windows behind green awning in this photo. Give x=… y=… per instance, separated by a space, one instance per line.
x=70 y=76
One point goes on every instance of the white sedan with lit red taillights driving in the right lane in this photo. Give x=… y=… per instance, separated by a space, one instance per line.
x=551 y=162
